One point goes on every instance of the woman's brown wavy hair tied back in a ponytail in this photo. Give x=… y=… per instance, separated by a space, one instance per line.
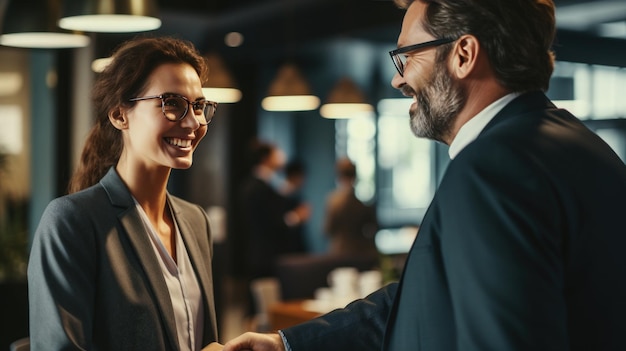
x=124 y=78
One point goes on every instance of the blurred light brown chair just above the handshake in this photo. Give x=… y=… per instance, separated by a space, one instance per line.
x=265 y=292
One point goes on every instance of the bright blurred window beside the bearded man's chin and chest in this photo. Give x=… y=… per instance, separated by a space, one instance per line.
x=394 y=168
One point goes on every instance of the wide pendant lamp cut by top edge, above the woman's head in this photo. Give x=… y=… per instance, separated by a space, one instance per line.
x=110 y=16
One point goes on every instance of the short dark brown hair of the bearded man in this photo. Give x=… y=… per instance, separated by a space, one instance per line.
x=516 y=34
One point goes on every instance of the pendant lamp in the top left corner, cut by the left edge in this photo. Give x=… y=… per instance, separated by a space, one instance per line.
x=33 y=24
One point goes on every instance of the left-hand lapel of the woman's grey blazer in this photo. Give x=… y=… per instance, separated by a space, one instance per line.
x=136 y=233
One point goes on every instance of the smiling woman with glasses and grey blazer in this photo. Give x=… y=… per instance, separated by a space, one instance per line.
x=120 y=264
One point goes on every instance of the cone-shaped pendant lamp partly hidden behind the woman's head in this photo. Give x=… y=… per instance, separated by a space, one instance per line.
x=220 y=86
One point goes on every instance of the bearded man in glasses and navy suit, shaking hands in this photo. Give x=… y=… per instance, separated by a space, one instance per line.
x=522 y=246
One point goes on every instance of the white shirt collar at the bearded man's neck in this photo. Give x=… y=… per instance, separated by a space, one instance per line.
x=470 y=130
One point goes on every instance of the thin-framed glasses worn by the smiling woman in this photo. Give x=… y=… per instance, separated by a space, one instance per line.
x=175 y=107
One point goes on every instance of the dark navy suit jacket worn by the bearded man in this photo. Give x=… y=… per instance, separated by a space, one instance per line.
x=522 y=248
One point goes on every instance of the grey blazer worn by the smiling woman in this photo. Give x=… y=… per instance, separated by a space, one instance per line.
x=94 y=280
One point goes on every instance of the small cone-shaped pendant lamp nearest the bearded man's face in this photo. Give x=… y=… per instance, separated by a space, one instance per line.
x=346 y=101
